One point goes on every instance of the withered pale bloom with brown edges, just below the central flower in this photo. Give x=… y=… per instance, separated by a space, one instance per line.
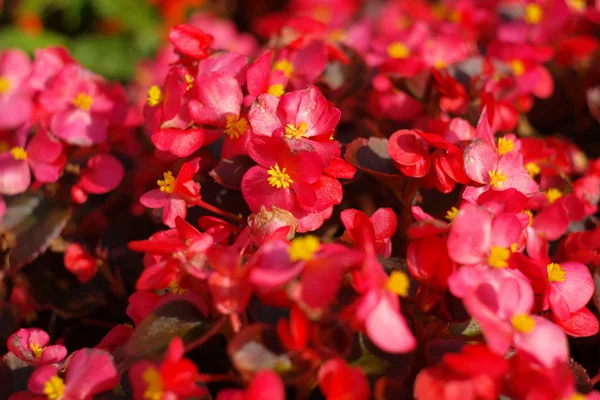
x=272 y=223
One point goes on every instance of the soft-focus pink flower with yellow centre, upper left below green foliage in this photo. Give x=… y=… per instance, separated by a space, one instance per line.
x=79 y=105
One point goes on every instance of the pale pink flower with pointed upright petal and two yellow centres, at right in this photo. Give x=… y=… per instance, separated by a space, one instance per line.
x=495 y=167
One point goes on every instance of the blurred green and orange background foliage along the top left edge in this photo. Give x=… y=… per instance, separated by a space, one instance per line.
x=112 y=37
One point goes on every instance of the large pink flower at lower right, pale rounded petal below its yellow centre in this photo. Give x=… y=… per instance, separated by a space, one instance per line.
x=501 y=300
